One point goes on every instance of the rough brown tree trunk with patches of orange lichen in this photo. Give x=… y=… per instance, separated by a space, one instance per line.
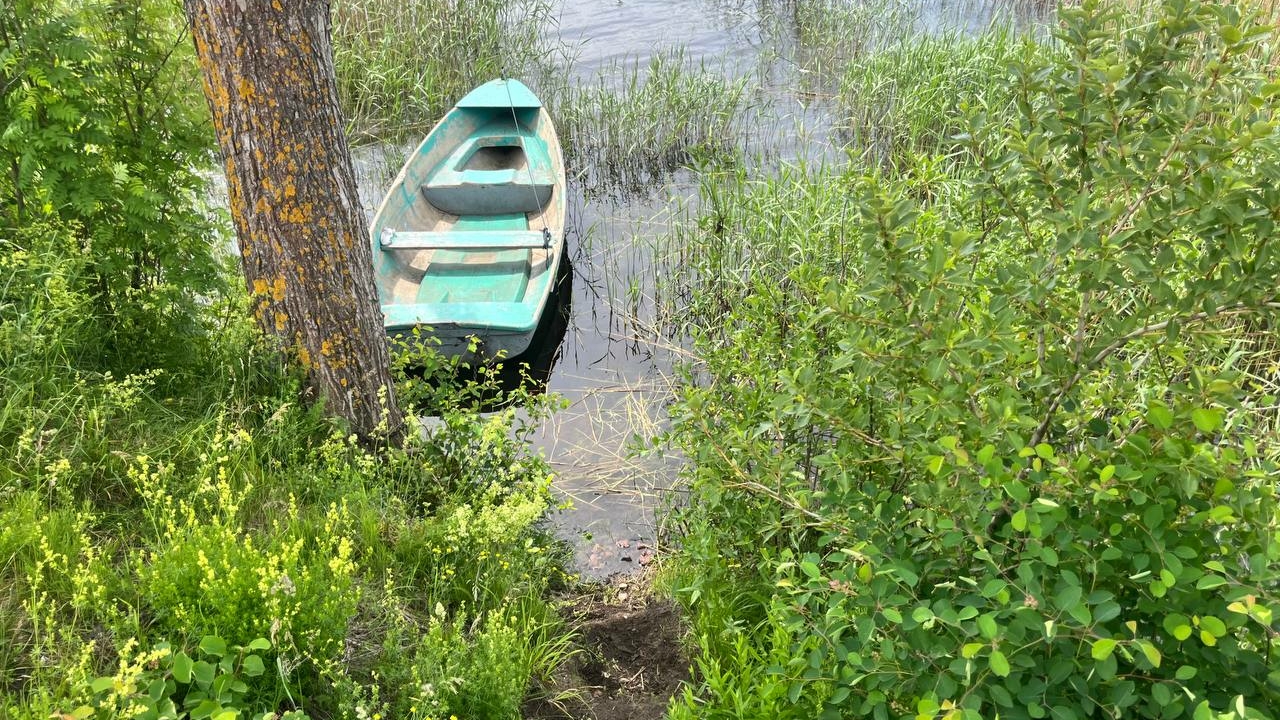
x=304 y=239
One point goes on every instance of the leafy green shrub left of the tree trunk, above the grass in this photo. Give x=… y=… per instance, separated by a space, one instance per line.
x=103 y=129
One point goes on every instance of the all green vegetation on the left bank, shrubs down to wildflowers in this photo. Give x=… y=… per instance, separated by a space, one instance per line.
x=166 y=489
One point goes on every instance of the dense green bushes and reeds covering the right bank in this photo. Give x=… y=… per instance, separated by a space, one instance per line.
x=1003 y=443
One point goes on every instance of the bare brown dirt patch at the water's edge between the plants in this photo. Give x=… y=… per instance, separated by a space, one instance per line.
x=630 y=663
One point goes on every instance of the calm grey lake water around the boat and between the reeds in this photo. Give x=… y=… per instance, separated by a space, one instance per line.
x=611 y=364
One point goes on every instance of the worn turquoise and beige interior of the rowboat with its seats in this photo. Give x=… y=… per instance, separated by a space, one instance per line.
x=472 y=217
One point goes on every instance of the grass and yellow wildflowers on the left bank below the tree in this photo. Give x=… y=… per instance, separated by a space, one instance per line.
x=204 y=498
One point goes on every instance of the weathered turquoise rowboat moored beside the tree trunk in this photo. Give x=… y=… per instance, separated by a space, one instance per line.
x=470 y=235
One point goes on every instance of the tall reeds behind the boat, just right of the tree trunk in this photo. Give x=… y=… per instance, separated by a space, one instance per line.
x=403 y=63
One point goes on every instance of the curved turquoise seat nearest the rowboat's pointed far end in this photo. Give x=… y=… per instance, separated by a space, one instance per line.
x=500 y=168
